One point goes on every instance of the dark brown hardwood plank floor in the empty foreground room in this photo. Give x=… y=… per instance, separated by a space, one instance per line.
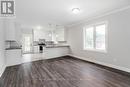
x=62 y=72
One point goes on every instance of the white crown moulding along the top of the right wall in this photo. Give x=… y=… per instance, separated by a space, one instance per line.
x=98 y=16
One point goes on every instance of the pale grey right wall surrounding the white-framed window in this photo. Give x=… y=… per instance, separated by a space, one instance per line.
x=118 y=40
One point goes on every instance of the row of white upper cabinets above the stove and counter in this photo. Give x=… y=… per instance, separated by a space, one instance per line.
x=50 y=35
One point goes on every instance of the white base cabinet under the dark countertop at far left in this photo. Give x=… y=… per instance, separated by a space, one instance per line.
x=13 y=57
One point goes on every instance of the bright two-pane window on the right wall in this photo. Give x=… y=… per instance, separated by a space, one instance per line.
x=95 y=37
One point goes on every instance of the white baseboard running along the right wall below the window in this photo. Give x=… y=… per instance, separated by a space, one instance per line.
x=102 y=63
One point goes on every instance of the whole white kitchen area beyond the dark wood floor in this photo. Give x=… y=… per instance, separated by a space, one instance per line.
x=31 y=43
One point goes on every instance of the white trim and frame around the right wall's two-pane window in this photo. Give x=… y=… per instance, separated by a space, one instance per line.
x=106 y=37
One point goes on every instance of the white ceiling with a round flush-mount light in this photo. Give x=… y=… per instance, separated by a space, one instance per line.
x=39 y=12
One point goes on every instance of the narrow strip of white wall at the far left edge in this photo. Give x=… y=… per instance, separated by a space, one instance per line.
x=2 y=47
